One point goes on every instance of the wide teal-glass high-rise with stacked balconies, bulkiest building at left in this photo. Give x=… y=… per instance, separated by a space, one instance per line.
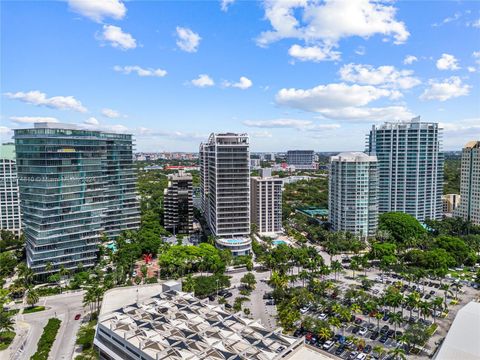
x=75 y=184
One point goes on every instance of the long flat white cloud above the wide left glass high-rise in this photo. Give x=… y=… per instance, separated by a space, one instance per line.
x=57 y=102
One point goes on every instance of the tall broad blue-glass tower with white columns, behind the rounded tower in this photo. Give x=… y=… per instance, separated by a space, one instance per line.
x=410 y=167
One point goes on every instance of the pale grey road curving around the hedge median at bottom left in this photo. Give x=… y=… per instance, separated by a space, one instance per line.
x=29 y=328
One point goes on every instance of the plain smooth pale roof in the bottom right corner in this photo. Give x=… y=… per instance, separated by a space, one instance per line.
x=463 y=339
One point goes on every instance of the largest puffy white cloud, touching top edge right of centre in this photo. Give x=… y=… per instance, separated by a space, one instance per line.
x=324 y=24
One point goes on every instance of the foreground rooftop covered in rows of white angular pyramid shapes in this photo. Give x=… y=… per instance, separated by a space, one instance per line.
x=176 y=325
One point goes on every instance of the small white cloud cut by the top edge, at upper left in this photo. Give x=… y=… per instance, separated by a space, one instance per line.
x=97 y=10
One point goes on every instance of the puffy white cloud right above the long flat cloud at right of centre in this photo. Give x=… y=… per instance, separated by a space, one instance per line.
x=383 y=75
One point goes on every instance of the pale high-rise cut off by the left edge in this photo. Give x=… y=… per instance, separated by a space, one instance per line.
x=10 y=216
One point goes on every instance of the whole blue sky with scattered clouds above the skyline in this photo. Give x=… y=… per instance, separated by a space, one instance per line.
x=296 y=74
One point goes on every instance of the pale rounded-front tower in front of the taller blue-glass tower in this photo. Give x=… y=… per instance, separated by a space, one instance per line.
x=353 y=191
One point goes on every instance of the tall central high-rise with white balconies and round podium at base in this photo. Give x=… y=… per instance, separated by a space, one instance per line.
x=225 y=184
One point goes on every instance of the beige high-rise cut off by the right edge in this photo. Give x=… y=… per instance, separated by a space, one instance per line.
x=469 y=207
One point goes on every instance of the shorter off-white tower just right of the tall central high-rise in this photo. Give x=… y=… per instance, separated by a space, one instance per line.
x=266 y=201
